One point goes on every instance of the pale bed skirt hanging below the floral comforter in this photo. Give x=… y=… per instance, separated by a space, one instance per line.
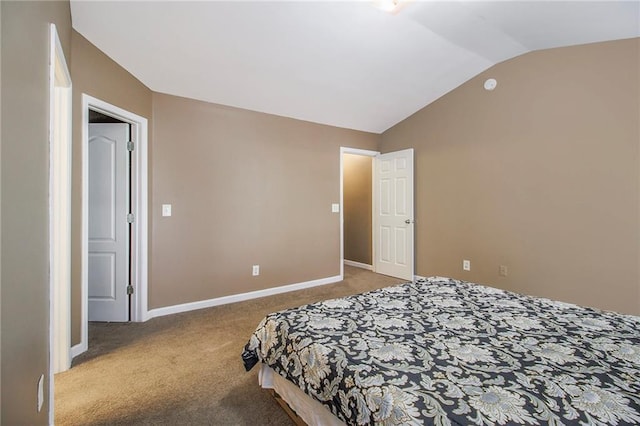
x=308 y=409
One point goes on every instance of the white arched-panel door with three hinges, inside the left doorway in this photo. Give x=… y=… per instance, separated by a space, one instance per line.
x=108 y=227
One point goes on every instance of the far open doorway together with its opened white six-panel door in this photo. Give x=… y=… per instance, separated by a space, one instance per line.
x=391 y=228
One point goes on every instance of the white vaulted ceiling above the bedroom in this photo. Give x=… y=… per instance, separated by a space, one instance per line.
x=345 y=64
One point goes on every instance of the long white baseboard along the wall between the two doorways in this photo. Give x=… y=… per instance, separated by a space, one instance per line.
x=186 y=307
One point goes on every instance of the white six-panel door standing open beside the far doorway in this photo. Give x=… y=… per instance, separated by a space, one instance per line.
x=393 y=214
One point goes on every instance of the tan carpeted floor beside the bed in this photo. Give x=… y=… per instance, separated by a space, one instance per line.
x=183 y=369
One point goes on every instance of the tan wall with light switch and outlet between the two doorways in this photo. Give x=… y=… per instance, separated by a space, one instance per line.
x=246 y=188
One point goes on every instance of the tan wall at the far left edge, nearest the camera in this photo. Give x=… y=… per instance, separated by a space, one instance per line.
x=25 y=203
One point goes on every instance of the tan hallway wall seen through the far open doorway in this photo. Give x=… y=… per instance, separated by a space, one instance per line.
x=357 y=187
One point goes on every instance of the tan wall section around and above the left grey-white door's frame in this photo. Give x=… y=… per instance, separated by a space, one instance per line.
x=97 y=75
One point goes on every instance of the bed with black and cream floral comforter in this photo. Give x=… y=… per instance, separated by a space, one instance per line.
x=442 y=351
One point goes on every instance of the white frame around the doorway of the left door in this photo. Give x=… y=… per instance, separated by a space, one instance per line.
x=139 y=185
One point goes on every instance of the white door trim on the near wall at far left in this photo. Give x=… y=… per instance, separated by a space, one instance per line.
x=59 y=214
